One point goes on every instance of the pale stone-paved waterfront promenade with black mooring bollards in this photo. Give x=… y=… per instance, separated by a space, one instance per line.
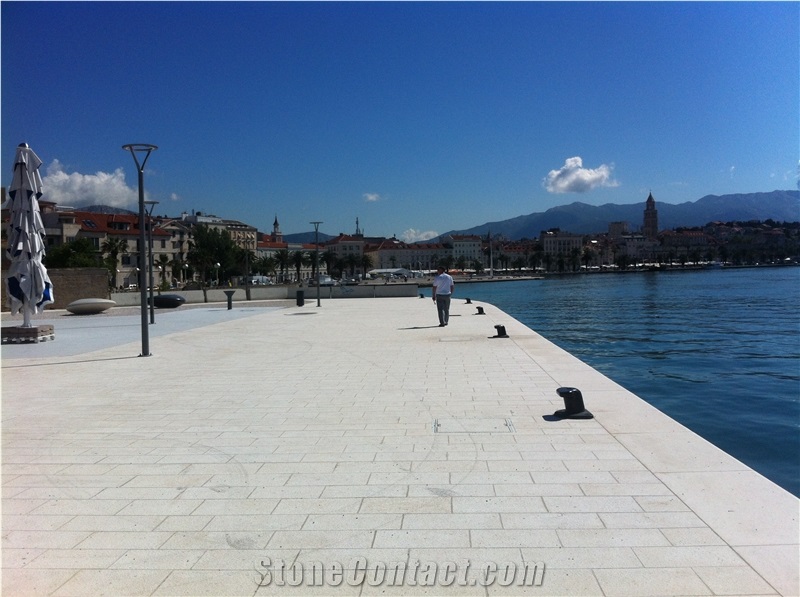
x=359 y=449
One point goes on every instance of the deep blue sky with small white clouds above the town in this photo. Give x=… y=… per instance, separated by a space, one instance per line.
x=417 y=118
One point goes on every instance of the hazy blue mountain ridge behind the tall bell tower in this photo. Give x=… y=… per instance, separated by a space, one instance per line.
x=586 y=219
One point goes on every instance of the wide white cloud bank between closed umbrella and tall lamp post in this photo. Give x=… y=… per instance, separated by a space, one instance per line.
x=77 y=190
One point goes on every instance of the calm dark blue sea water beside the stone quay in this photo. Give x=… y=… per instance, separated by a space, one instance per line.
x=717 y=350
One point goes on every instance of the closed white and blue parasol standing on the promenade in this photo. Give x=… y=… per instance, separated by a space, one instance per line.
x=27 y=283
